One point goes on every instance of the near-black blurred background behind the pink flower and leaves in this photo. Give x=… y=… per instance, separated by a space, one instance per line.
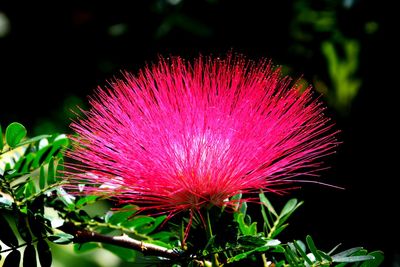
x=53 y=55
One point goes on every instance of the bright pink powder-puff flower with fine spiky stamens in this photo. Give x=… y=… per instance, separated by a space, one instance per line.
x=180 y=136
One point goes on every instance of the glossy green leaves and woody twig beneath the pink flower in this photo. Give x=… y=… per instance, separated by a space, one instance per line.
x=36 y=209
